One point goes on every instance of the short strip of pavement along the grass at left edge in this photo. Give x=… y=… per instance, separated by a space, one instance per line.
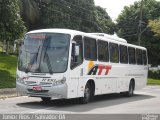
x=7 y=93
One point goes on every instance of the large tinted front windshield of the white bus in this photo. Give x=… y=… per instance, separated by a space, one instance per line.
x=44 y=53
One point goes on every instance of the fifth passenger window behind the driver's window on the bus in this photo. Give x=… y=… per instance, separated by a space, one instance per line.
x=131 y=52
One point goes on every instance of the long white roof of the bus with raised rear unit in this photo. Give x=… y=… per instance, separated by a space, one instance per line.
x=103 y=36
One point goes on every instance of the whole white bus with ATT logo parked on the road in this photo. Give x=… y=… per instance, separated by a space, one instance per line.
x=64 y=64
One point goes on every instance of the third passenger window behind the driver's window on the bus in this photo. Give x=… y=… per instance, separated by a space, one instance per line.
x=114 y=52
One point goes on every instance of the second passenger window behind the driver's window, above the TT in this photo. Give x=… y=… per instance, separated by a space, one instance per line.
x=103 y=54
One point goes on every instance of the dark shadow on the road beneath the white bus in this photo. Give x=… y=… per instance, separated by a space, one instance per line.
x=72 y=105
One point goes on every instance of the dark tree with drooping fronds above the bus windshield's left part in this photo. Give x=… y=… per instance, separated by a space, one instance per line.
x=31 y=12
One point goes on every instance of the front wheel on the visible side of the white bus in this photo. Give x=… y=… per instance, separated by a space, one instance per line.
x=87 y=94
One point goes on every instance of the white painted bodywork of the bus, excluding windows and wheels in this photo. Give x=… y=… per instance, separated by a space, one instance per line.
x=108 y=77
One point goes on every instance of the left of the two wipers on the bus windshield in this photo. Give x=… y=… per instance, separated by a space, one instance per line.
x=30 y=64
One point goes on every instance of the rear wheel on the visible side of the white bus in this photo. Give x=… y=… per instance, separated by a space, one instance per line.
x=130 y=91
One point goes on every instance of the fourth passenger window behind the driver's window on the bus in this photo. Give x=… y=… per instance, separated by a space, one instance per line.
x=123 y=54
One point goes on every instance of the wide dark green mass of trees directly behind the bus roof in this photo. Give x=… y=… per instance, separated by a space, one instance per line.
x=73 y=14
